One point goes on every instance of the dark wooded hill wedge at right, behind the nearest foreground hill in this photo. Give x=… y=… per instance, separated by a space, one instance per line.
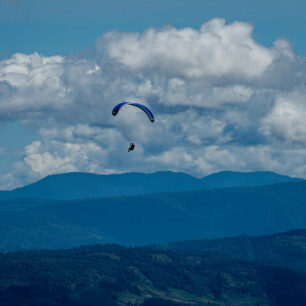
x=286 y=249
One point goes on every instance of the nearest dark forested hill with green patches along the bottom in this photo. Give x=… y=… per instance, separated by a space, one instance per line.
x=114 y=275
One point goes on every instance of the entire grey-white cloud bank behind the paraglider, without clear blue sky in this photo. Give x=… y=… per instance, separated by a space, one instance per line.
x=222 y=101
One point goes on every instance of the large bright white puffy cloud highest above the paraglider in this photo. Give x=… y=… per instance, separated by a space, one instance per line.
x=217 y=50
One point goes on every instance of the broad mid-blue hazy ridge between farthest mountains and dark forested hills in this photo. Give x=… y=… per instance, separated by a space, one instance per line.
x=153 y=218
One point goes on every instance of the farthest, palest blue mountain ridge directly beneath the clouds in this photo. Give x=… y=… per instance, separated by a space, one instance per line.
x=87 y=185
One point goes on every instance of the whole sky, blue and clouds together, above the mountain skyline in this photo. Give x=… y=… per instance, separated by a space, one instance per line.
x=226 y=81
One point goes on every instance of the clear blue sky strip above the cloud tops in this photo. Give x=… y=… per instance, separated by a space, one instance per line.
x=60 y=27
